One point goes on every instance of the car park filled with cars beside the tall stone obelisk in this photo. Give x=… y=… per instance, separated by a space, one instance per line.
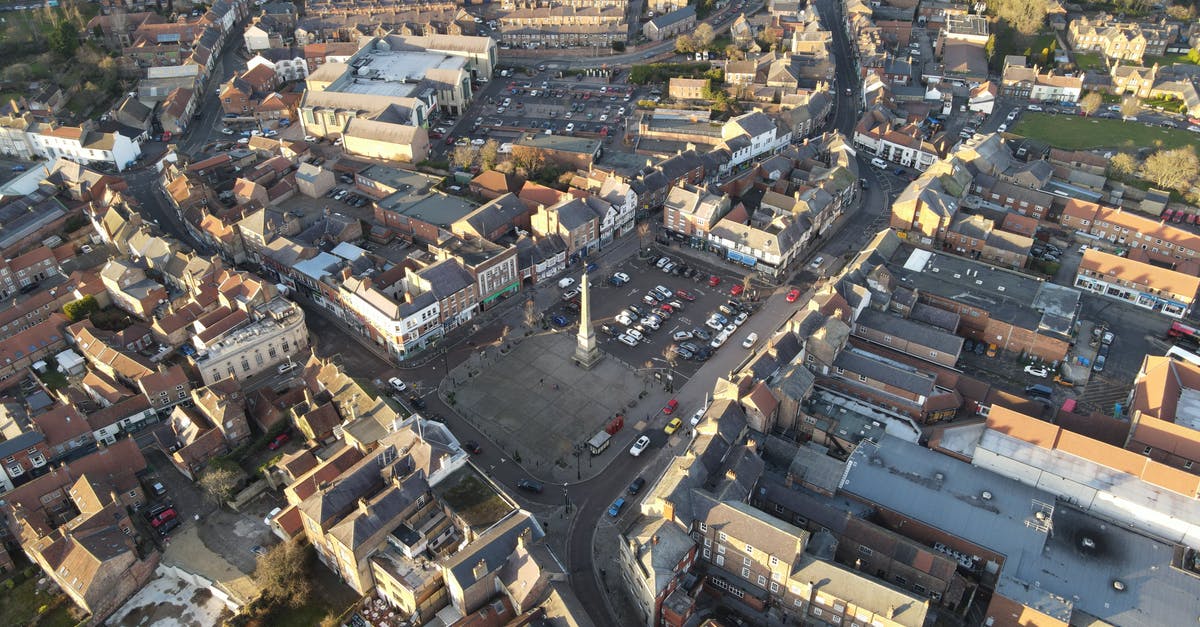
x=682 y=333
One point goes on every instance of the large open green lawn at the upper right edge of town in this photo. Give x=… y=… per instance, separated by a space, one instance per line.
x=1075 y=133
